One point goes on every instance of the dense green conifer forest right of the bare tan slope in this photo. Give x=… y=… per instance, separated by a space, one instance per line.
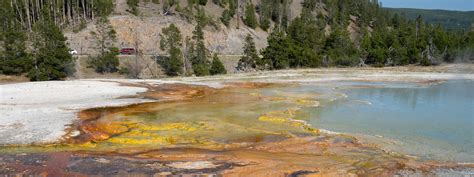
x=381 y=39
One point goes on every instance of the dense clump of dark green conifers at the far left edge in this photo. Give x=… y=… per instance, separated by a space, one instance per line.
x=48 y=55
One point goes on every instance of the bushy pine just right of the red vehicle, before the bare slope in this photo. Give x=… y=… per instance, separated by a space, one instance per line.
x=171 y=41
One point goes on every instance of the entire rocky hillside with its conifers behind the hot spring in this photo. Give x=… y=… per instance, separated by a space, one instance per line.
x=276 y=34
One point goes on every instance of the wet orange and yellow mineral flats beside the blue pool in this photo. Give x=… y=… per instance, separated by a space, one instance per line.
x=242 y=129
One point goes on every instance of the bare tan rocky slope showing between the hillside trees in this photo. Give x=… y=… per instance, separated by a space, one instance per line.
x=145 y=28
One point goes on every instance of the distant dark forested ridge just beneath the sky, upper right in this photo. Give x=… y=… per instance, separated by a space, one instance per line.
x=451 y=20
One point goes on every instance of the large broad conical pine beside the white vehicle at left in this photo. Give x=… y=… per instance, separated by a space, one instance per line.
x=52 y=60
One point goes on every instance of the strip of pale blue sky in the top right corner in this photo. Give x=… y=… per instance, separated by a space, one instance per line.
x=463 y=5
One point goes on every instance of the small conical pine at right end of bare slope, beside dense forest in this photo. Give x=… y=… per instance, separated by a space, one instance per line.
x=250 y=58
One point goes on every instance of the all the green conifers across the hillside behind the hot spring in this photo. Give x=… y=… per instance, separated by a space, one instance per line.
x=350 y=33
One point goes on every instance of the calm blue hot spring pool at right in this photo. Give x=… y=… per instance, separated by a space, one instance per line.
x=434 y=121
